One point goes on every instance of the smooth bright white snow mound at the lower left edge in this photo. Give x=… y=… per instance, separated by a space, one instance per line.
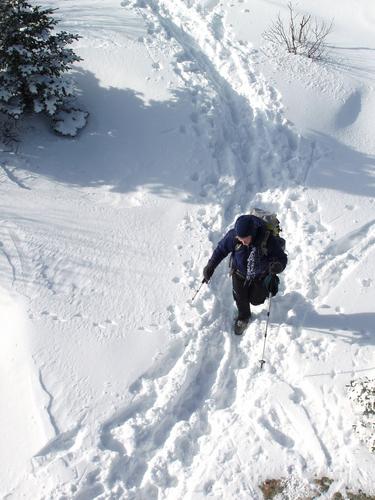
x=23 y=430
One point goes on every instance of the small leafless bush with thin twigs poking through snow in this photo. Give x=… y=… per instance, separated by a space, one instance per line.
x=301 y=34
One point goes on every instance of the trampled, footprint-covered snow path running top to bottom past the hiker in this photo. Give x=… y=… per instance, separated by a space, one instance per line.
x=207 y=384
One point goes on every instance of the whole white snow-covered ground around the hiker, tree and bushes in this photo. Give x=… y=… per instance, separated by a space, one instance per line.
x=114 y=385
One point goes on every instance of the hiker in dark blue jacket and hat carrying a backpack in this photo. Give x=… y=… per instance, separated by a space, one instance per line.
x=257 y=256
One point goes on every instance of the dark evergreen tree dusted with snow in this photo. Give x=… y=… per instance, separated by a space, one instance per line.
x=33 y=60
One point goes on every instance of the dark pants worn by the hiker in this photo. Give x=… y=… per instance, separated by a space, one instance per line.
x=254 y=294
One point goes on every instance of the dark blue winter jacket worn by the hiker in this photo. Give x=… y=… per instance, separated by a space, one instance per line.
x=250 y=262
